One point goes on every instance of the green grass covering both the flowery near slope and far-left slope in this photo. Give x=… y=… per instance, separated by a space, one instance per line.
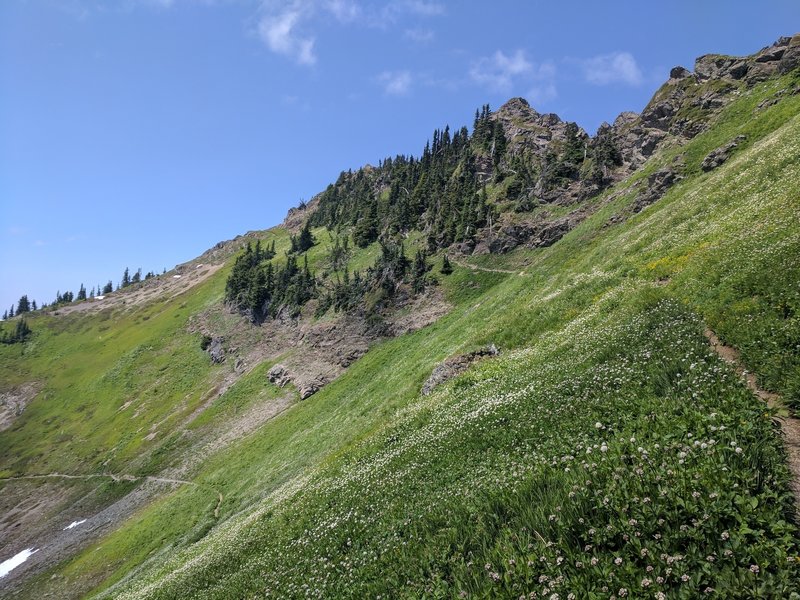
x=366 y=488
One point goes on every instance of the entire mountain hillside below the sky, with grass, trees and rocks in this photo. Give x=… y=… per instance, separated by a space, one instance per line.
x=223 y=437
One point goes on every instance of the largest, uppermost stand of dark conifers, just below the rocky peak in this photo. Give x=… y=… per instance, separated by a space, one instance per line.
x=442 y=192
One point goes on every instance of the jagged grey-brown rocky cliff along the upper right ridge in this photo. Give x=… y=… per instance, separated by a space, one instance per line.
x=684 y=106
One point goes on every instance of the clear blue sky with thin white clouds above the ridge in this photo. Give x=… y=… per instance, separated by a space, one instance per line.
x=140 y=132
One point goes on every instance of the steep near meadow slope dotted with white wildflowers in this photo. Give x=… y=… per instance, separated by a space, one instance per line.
x=587 y=310
